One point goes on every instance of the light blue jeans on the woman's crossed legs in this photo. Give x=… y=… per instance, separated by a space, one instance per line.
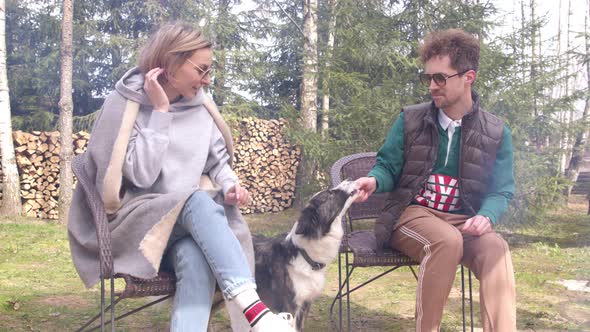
x=203 y=250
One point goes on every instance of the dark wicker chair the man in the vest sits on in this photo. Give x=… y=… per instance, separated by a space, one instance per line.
x=363 y=245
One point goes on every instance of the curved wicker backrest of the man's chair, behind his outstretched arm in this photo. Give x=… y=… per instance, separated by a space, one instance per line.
x=353 y=167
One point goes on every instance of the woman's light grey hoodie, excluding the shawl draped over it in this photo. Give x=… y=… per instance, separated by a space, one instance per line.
x=168 y=152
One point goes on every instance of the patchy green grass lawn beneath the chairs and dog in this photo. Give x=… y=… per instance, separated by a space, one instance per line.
x=40 y=290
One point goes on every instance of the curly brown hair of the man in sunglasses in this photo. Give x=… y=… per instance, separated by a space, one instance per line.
x=461 y=47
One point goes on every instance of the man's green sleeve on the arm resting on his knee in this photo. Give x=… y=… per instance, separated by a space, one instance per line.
x=495 y=203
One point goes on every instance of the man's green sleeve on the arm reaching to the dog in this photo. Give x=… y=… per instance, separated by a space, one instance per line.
x=390 y=158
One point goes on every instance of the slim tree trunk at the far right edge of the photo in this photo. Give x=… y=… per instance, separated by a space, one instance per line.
x=579 y=148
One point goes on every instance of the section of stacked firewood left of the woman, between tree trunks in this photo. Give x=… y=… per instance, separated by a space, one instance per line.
x=37 y=157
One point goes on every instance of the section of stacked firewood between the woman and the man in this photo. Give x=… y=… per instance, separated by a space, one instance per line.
x=266 y=164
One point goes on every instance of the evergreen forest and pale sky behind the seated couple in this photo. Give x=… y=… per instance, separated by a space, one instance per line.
x=340 y=70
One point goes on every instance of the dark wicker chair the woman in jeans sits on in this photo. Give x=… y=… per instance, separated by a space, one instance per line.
x=163 y=285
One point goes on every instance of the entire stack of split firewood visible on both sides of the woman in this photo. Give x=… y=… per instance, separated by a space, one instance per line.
x=266 y=164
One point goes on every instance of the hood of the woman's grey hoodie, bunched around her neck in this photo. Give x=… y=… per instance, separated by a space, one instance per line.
x=130 y=86
